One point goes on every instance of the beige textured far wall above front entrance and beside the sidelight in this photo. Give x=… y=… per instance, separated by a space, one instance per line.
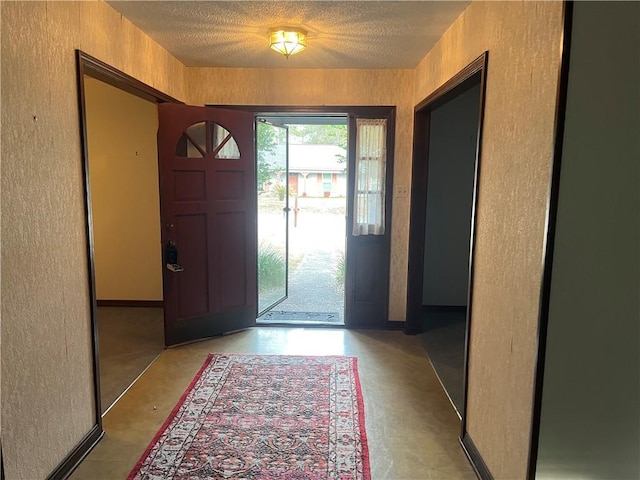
x=228 y=86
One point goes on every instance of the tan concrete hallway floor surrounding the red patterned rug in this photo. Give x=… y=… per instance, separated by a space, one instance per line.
x=411 y=426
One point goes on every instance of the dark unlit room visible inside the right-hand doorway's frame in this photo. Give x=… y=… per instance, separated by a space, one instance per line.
x=452 y=153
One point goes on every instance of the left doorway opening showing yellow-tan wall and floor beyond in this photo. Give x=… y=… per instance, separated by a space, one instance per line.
x=122 y=171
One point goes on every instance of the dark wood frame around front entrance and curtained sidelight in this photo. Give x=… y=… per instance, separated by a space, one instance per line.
x=387 y=112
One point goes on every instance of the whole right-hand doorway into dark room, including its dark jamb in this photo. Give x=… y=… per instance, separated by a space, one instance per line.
x=444 y=194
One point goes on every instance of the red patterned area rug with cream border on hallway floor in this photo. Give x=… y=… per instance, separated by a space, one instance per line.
x=264 y=417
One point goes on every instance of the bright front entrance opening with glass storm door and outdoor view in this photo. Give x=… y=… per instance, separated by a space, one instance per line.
x=302 y=208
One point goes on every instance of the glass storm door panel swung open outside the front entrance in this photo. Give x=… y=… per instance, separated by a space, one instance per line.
x=273 y=213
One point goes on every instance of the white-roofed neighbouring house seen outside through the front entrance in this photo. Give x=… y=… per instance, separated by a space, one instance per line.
x=314 y=170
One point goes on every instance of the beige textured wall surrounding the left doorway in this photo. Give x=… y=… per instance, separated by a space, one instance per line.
x=47 y=398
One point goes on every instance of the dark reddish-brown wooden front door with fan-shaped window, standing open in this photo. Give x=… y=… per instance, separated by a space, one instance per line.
x=208 y=212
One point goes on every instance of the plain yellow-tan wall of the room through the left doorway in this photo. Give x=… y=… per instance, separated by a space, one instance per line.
x=123 y=166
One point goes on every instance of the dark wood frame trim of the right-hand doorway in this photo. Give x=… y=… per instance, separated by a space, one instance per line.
x=458 y=84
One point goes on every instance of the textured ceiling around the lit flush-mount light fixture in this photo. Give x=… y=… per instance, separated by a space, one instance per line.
x=356 y=34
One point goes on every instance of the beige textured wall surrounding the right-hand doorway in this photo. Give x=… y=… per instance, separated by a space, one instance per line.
x=523 y=40
